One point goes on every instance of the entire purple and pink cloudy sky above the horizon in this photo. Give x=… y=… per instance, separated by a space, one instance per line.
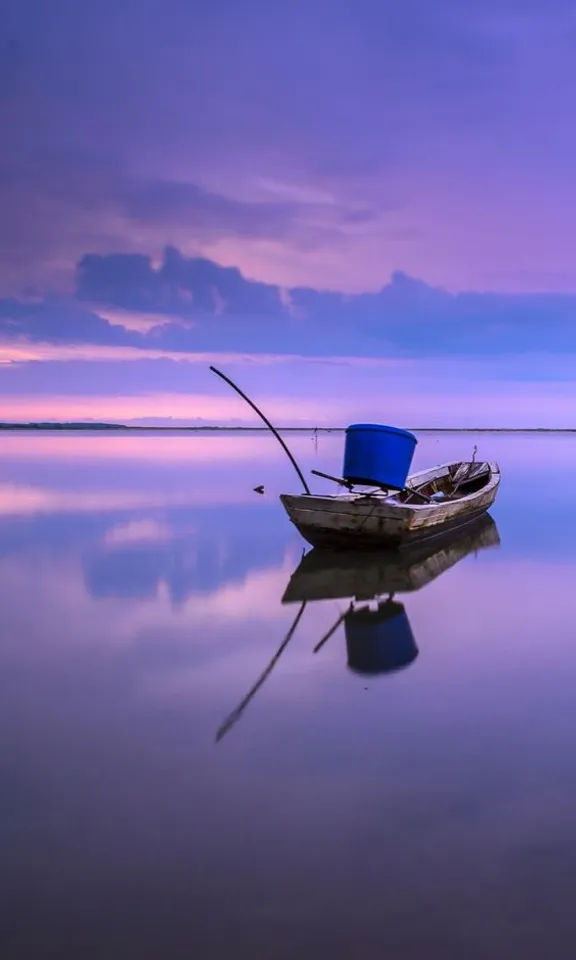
x=384 y=181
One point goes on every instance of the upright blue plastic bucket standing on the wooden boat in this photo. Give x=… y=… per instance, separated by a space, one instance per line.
x=378 y=455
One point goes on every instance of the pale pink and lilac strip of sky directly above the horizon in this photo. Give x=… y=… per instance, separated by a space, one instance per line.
x=408 y=401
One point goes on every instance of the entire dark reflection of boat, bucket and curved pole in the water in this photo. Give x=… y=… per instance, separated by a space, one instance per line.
x=379 y=638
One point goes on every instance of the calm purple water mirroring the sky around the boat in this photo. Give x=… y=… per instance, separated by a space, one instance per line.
x=425 y=812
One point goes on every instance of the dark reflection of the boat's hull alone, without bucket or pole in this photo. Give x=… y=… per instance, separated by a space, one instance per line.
x=336 y=575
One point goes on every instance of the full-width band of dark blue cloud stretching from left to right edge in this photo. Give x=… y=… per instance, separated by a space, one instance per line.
x=203 y=308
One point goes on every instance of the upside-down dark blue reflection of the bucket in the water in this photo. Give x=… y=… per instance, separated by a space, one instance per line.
x=379 y=641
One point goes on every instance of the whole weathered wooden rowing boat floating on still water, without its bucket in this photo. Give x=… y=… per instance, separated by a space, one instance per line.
x=433 y=502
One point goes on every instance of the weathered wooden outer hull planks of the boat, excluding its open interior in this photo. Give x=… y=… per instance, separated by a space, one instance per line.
x=380 y=521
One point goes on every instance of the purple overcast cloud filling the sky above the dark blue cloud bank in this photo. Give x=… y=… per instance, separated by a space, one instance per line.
x=294 y=148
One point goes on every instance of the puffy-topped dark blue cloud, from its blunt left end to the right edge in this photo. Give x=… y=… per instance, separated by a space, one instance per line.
x=405 y=315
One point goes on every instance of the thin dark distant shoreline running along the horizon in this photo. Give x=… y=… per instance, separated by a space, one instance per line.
x=47 y=427
